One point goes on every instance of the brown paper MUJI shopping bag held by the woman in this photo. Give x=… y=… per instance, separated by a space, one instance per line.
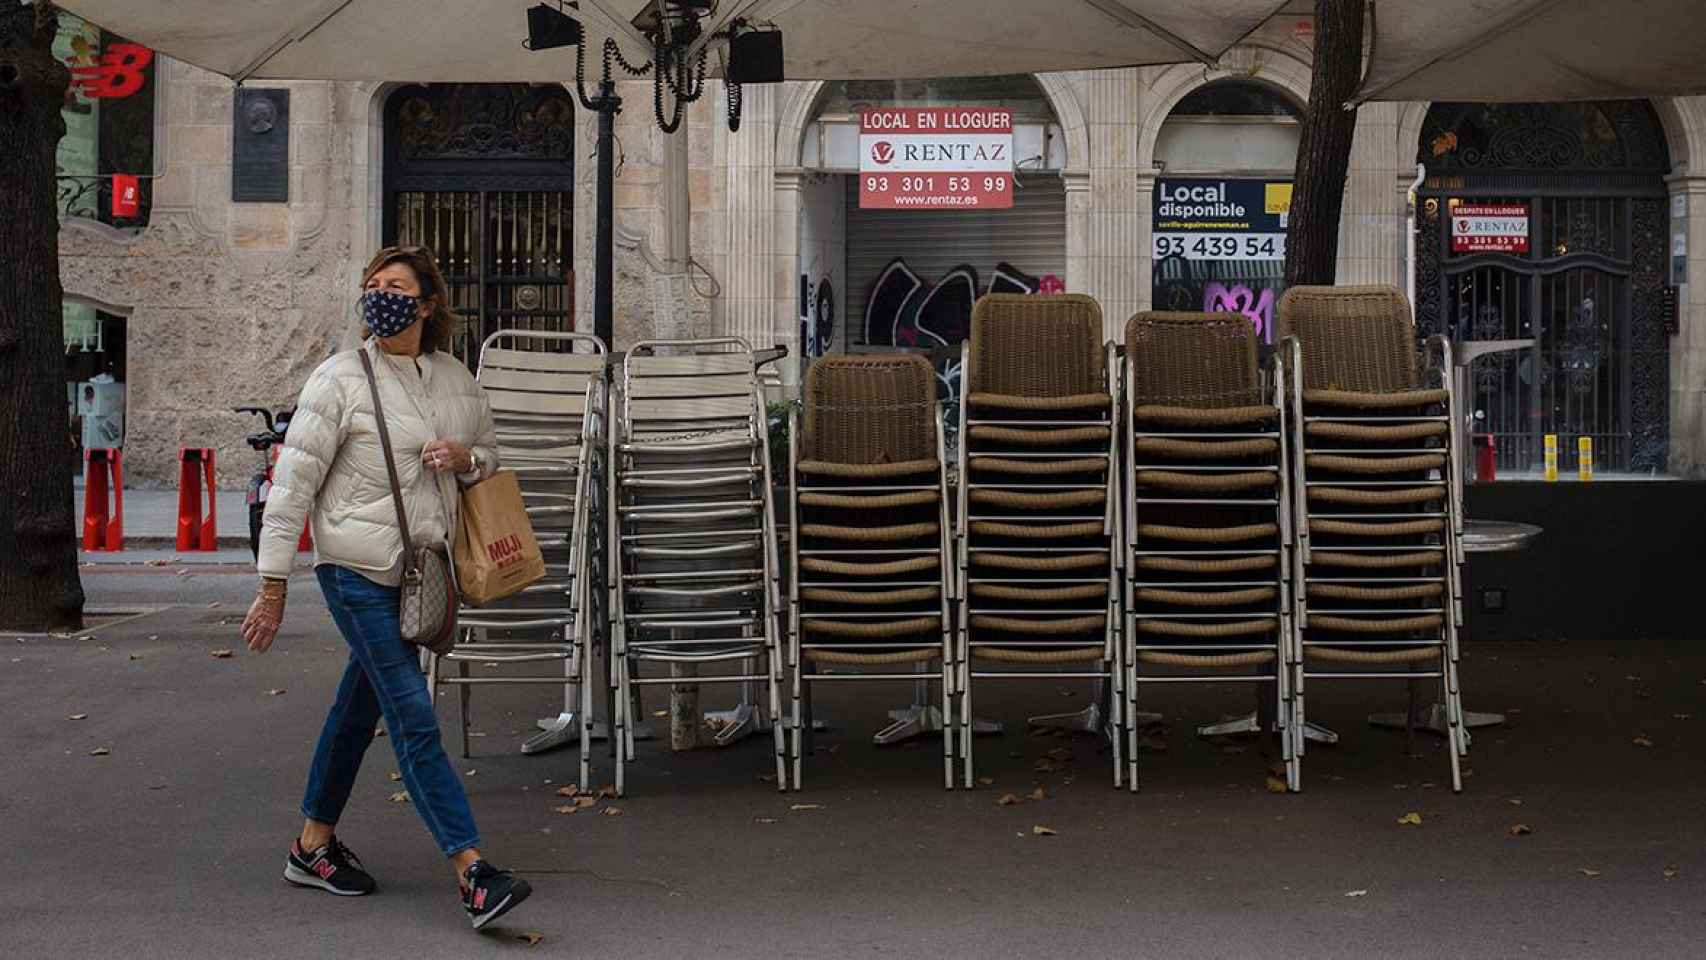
x=496 y=553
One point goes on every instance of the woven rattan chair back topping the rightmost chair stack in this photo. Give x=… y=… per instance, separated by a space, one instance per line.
x=1355 y=338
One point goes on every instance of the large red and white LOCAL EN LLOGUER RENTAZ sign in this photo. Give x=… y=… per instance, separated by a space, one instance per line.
x=936 y=159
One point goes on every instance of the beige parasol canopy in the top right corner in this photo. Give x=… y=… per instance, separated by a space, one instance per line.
x=1536 y=50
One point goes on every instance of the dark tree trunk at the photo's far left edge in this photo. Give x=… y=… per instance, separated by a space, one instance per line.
x=38 y=528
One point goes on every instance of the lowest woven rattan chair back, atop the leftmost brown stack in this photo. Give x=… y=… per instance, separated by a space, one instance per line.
x=869 y=410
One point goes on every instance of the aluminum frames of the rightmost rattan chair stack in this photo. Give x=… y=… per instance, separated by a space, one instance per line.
x=1449 y=550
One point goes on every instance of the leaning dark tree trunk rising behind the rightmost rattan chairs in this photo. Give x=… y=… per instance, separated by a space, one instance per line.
x=1325 y=151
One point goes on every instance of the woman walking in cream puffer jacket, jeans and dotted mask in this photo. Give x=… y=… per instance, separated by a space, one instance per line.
x=334 y=468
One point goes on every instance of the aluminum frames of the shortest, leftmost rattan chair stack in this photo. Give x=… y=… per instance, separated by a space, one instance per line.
x=944 y=584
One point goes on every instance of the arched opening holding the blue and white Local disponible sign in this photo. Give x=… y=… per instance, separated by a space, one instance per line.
x=1226 y=158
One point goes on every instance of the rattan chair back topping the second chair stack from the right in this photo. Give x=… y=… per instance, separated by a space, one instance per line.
x=1193 y=361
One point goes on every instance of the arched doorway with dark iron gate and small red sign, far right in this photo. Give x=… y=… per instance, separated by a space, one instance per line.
x=1550 y=223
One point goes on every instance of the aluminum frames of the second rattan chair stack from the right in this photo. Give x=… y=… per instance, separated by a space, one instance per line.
x=1282 y=640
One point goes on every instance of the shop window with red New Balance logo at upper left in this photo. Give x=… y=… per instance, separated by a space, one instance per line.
x=107 y=158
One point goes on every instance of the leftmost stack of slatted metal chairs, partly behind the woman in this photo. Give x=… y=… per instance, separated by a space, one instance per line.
x=548 y=402
